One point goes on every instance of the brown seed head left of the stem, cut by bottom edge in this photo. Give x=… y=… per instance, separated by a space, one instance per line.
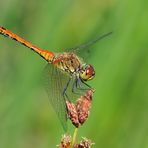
x=65 y=141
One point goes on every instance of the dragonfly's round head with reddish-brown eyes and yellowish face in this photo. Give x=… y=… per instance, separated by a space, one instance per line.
x=87 y=72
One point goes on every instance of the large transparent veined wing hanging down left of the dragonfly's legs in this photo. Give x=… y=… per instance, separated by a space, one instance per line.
x=55 y=81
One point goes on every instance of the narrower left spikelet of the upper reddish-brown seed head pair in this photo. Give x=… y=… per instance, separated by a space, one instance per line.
x=72 y=114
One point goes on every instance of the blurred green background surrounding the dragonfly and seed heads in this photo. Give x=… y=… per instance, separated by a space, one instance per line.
x=119 y=115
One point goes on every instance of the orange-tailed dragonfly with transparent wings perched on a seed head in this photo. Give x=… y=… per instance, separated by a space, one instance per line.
x=65 y=75
